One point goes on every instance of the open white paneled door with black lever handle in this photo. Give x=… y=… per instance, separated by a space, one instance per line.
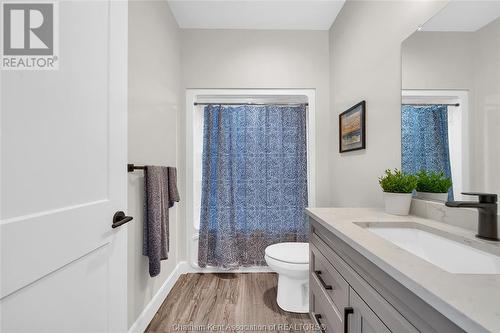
x=63 y=176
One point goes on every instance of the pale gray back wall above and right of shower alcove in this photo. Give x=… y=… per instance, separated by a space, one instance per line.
x=266 y=59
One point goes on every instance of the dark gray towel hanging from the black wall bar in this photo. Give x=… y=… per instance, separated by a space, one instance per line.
x=160 y=187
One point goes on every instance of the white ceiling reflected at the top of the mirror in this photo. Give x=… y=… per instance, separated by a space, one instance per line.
x=464 y=16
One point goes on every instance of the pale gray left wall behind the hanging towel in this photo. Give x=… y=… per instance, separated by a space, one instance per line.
x=153 y=131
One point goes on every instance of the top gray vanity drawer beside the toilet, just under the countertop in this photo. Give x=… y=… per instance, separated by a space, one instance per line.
x=329 y=279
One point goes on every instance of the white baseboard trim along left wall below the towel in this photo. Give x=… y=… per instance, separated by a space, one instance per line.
x=150 y=310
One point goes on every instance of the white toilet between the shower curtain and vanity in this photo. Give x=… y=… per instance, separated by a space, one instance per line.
x=291 y=262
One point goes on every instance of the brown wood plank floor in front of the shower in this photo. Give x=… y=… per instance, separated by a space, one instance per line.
x=226 y=302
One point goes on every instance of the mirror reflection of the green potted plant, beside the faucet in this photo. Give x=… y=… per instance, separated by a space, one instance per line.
x=433 y=185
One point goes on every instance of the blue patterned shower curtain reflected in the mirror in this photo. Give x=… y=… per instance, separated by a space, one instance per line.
x=424 y=136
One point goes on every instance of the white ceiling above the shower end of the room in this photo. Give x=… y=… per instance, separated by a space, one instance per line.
x=256 y=14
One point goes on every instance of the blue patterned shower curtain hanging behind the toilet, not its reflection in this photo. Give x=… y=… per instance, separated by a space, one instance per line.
x=254 y=182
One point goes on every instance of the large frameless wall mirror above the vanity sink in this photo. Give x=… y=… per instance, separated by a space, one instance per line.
x=450 y=112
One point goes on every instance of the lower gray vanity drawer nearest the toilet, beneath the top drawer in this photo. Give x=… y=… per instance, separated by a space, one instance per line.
x=321 y=306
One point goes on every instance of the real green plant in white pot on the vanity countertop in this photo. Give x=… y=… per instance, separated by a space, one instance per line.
x=398 y=188
